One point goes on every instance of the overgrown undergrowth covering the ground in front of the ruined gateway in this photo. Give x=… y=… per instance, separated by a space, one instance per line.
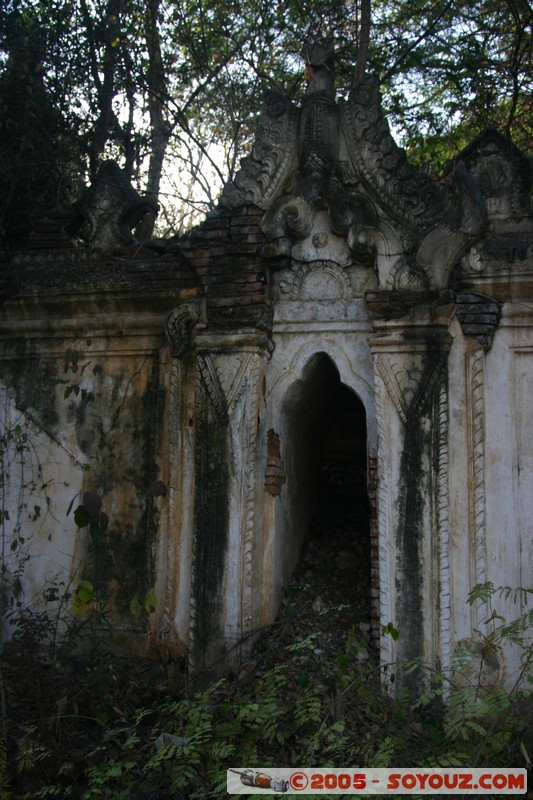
x=98 y=727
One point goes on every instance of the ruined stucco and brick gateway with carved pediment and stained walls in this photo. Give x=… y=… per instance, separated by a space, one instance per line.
x=331 y=273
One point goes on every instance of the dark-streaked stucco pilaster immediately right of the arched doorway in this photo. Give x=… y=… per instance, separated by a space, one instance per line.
x=412 y=415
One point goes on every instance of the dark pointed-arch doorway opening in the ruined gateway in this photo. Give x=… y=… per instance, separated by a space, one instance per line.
x=326 y=498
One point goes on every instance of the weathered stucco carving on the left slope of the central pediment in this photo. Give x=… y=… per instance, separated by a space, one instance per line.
x=273 y=157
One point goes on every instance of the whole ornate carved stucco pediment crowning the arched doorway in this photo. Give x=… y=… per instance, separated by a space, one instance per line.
x=342 y=159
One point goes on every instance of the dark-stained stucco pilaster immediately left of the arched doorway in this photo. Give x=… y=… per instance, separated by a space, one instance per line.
x=225 y=506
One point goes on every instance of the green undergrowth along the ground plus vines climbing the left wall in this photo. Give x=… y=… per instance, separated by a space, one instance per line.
x=288 y=709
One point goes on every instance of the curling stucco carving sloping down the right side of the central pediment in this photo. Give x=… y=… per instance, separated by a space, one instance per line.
x=443 y=219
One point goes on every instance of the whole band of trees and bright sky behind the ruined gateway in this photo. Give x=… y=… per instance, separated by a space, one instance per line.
x=173 y=89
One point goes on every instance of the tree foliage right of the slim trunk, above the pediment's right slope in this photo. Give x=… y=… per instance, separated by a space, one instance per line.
x=453 y=69
